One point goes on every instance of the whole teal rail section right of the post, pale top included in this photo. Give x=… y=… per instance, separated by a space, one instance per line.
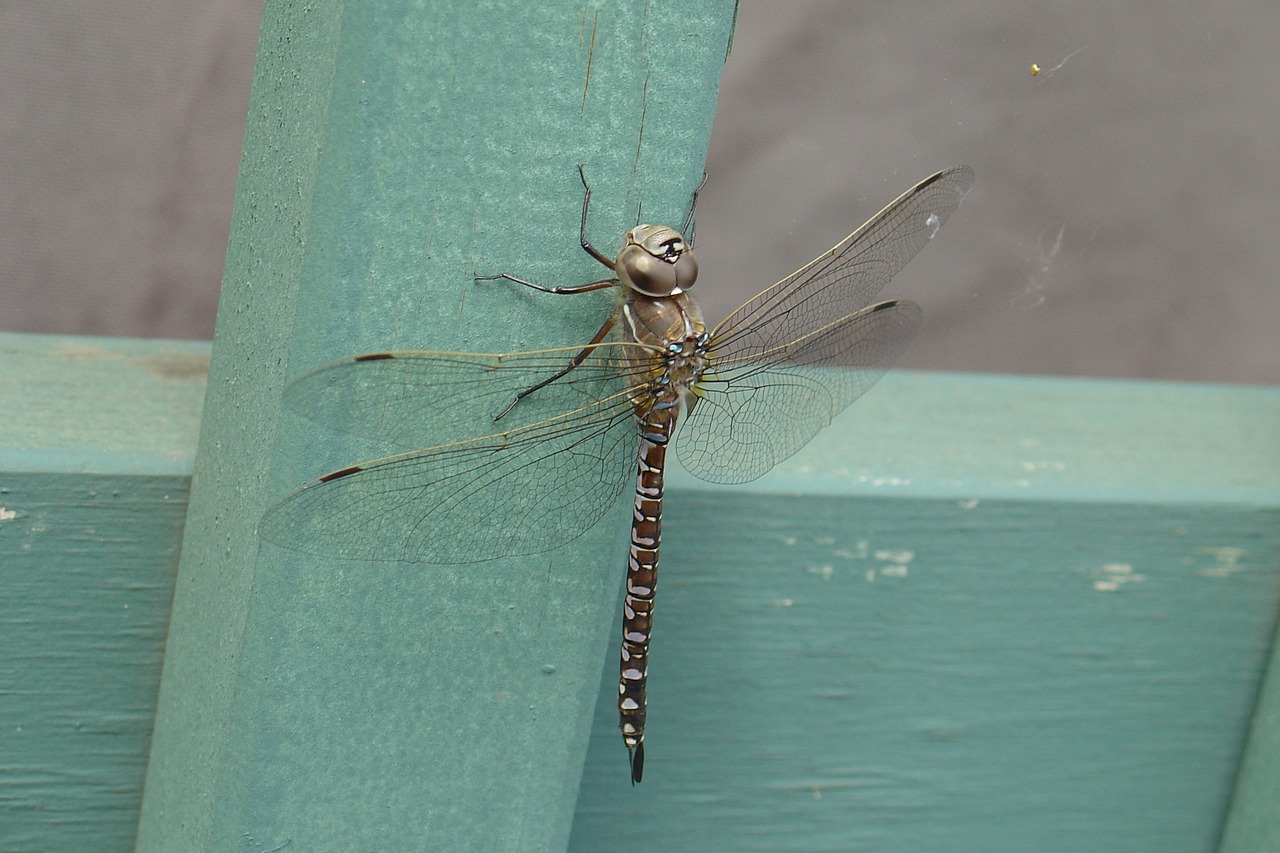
x=994 y=614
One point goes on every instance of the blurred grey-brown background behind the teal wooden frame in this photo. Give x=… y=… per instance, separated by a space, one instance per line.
x=1122 y=225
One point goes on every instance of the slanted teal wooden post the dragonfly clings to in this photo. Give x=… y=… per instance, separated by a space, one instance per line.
x=395 y=150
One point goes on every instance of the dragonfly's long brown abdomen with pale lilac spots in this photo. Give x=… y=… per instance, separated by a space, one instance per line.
x=656 y=430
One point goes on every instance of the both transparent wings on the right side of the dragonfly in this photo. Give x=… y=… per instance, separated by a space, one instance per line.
x=767 y=393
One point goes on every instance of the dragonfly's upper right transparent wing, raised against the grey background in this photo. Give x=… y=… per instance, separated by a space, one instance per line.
x=845 y=279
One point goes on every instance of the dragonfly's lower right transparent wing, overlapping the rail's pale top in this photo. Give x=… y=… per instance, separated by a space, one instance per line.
x=756 y=413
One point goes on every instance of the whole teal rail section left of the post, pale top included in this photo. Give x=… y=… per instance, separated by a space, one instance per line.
x=95 y=458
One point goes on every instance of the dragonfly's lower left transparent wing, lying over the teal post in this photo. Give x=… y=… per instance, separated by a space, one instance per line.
x=552 y=481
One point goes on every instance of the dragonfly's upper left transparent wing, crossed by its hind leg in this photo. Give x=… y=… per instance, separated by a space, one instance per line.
x=387 y=395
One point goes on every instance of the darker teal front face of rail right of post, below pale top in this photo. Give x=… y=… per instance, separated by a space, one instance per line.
x=870 y=674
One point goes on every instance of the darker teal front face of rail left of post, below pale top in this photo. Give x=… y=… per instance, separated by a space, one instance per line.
x=86 y=581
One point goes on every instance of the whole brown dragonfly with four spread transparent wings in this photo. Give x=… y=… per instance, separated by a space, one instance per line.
x=578 y=425
